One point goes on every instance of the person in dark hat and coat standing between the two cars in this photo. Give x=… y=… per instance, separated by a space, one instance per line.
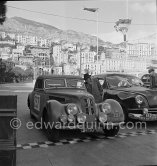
x=93 y=86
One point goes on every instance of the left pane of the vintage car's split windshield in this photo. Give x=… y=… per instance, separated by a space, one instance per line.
x=53 y=83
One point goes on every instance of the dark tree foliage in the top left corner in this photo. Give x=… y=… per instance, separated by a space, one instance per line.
x=3 y=10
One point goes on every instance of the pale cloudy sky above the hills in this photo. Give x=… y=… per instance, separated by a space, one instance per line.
x=141 y=12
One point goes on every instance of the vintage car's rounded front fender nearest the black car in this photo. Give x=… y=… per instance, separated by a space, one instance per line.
x=116 y=114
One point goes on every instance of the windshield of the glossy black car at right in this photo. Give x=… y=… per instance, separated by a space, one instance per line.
x=123 y=81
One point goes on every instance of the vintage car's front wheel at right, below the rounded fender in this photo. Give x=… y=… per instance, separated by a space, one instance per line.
x=111 y=132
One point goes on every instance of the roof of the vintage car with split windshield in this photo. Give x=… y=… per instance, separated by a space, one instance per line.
x=58 y=76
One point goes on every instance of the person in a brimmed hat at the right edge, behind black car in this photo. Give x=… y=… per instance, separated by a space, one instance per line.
x=153 y=78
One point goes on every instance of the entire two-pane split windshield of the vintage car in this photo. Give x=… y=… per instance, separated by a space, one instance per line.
x=64 y=82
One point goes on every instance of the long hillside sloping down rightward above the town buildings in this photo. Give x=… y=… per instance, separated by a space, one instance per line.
x=29 y=27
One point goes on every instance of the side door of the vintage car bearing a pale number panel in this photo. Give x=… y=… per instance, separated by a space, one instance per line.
x=38 y=97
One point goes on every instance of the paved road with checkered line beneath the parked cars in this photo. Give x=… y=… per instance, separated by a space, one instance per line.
x=131 y=147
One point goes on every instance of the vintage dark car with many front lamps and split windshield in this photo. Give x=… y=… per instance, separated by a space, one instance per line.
x=62 y=103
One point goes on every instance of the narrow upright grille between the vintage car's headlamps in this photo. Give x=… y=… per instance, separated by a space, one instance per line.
x=87 y=105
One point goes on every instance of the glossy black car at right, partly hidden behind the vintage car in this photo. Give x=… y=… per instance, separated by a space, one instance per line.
x=137 y=101
